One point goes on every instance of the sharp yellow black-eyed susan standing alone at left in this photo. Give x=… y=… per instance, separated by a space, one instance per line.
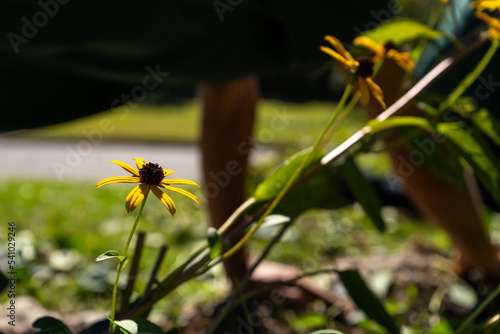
x=150 y=176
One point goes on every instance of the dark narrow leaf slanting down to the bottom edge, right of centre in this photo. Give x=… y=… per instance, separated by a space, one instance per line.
x=366 y=300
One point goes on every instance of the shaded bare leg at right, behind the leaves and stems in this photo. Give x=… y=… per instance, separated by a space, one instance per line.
x=454 y=207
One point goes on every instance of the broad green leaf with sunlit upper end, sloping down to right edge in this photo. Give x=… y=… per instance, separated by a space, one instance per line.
x=471 y=147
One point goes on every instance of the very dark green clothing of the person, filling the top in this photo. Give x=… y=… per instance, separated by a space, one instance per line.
x=63 y=59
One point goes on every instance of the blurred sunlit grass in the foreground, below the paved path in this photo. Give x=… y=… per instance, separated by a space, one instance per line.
x=54 y=216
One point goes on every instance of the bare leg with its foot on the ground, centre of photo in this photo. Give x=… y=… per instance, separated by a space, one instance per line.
x=228 y=120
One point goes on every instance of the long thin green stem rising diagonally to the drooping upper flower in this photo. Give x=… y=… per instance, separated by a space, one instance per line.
x=305 y=163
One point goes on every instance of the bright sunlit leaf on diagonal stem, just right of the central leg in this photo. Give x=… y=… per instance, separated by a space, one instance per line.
x=271 y=186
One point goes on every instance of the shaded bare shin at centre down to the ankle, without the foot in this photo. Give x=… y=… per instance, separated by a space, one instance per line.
x=228 y=120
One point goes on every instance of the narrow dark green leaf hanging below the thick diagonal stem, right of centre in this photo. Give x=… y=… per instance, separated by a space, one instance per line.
x=363 y=192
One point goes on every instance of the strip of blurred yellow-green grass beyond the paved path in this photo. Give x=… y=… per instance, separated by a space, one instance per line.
x=278 y=122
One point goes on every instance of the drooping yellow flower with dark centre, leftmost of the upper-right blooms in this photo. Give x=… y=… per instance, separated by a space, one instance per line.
x=362 y=67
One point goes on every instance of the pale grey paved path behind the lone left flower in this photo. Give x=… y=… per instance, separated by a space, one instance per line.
x=69 y=160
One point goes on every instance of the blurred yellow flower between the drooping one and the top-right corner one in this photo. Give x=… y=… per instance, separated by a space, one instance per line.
x=387 y=50
